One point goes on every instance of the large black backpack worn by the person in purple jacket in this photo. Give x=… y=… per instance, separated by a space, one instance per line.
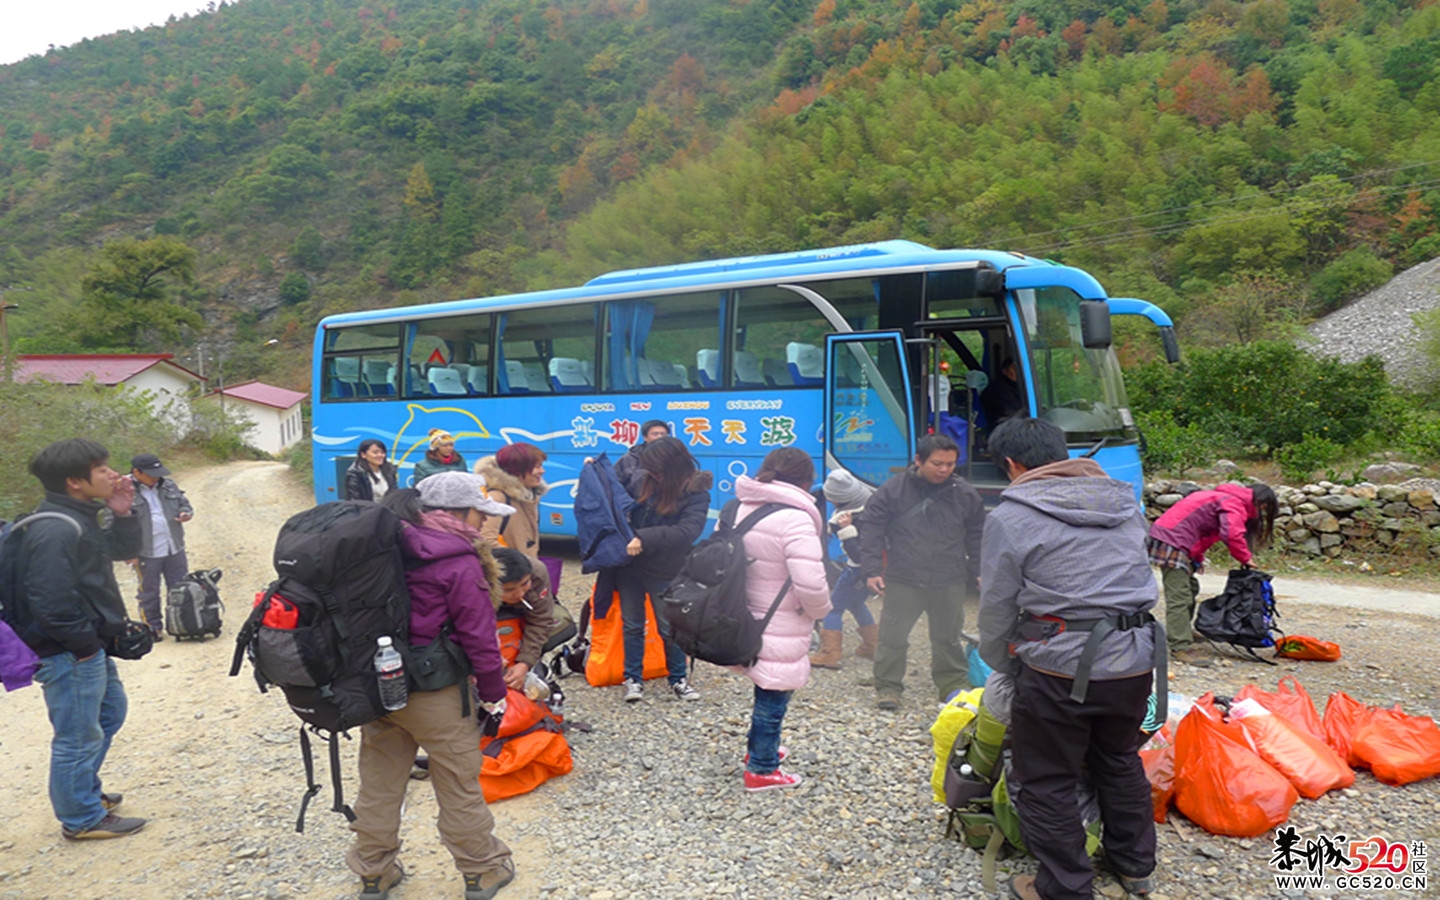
x=342 y=580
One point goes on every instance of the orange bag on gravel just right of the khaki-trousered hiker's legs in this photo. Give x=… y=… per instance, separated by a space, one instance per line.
x=529 y=750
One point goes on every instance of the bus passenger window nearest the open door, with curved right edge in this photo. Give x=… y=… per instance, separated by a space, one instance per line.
x=778 y=341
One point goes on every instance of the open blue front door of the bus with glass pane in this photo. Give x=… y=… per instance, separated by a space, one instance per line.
x=869 y=414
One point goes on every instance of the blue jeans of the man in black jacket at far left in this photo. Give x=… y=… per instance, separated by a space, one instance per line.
x=87 y=705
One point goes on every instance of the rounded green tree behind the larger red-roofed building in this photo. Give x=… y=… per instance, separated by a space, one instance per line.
x=125 y=299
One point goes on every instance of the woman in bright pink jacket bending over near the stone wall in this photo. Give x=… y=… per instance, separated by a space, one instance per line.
x=1241 y=516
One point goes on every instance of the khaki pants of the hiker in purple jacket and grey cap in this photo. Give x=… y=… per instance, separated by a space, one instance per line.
x=431 y=721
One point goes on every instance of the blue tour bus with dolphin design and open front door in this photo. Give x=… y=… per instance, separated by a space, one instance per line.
x=849 y=354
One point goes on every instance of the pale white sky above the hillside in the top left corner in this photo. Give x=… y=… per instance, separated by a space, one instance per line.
x=31 y=27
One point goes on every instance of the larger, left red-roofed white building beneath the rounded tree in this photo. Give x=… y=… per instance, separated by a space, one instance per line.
x=168 y=384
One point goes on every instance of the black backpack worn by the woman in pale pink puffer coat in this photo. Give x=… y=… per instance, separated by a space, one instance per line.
x=706 y=606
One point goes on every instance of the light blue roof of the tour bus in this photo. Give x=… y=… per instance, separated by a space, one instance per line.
x=718 y=273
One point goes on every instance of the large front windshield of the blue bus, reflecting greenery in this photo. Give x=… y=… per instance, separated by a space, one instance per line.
x=1081 y=391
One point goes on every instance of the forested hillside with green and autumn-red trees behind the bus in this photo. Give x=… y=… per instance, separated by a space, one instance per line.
x=1241 y=163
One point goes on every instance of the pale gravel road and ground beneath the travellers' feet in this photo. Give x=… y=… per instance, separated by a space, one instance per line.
x=654 y=806
